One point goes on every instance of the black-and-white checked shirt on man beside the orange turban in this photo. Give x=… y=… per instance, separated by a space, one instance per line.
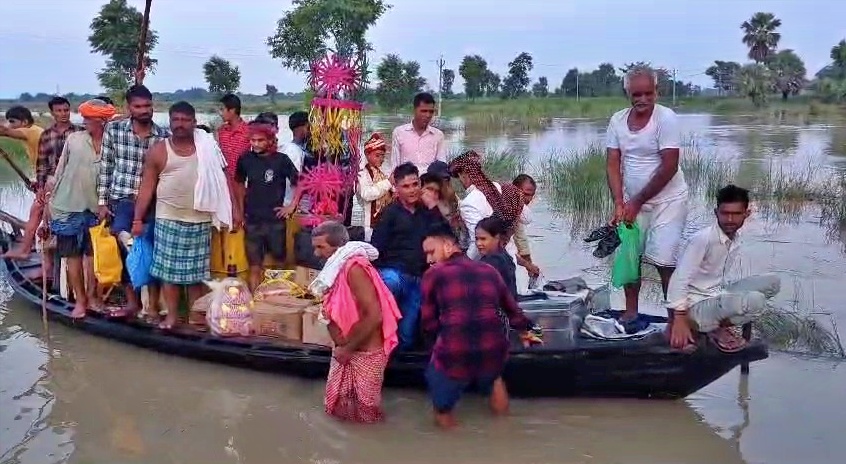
x=122 y=160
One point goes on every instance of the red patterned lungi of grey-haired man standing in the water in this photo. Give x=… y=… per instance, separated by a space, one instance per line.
x=354 y=390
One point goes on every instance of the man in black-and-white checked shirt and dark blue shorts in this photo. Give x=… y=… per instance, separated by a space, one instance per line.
x=125 y=145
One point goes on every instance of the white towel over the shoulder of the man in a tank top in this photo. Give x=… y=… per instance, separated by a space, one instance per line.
x=211 y=194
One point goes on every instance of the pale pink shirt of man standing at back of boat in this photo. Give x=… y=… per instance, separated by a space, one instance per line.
x=421 y=150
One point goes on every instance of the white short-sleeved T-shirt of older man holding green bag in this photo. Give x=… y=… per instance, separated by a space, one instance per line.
x=641 y=149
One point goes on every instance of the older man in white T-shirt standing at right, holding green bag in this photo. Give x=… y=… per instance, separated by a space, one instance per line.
x=645 y=180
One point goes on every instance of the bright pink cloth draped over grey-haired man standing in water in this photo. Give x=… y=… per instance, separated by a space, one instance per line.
x=340 y=306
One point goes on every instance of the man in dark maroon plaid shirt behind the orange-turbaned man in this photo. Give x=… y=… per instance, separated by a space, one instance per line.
x=50 y=144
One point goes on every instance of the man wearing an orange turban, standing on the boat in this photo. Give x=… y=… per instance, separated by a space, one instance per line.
x=72 y=194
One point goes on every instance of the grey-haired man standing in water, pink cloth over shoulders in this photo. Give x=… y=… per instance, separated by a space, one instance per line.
x=362 y=316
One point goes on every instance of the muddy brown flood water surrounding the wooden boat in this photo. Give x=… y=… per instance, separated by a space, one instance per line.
x=74 y=398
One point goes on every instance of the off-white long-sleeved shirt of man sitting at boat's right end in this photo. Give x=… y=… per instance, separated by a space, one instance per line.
x=701 y=272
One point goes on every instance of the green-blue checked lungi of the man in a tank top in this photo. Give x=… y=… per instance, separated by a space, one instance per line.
x=181 y=252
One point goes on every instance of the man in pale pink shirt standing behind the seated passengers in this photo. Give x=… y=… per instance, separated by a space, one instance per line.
x=417 y=142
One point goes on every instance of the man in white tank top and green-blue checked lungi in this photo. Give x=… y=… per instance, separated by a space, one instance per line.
x=182 y=235
